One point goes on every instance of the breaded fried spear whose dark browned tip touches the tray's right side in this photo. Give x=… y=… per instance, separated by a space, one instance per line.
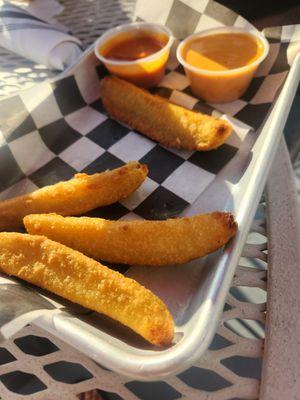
x=173 y=241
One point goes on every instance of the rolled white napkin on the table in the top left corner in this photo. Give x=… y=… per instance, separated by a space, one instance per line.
x=24 y=30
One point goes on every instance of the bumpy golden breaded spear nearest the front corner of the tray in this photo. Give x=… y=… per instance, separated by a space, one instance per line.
x=75 y=277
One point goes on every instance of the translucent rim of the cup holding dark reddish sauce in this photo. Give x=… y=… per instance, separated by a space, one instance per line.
x=125 y=28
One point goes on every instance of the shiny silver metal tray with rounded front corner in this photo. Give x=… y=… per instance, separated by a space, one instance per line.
x=195 y=292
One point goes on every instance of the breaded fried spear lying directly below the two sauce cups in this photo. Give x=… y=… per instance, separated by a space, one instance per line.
x=157 y=118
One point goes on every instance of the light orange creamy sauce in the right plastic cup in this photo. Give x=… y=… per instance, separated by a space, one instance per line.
x=223 y=51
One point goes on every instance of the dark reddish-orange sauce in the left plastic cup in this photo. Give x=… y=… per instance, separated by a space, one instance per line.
x=133 y=46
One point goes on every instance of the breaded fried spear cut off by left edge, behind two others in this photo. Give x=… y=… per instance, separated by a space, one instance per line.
x=76 y=196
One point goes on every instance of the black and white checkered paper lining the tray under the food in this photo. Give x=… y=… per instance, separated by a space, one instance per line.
x=55 y=129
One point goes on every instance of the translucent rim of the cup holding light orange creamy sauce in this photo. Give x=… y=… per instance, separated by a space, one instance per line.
x=225 y=29
